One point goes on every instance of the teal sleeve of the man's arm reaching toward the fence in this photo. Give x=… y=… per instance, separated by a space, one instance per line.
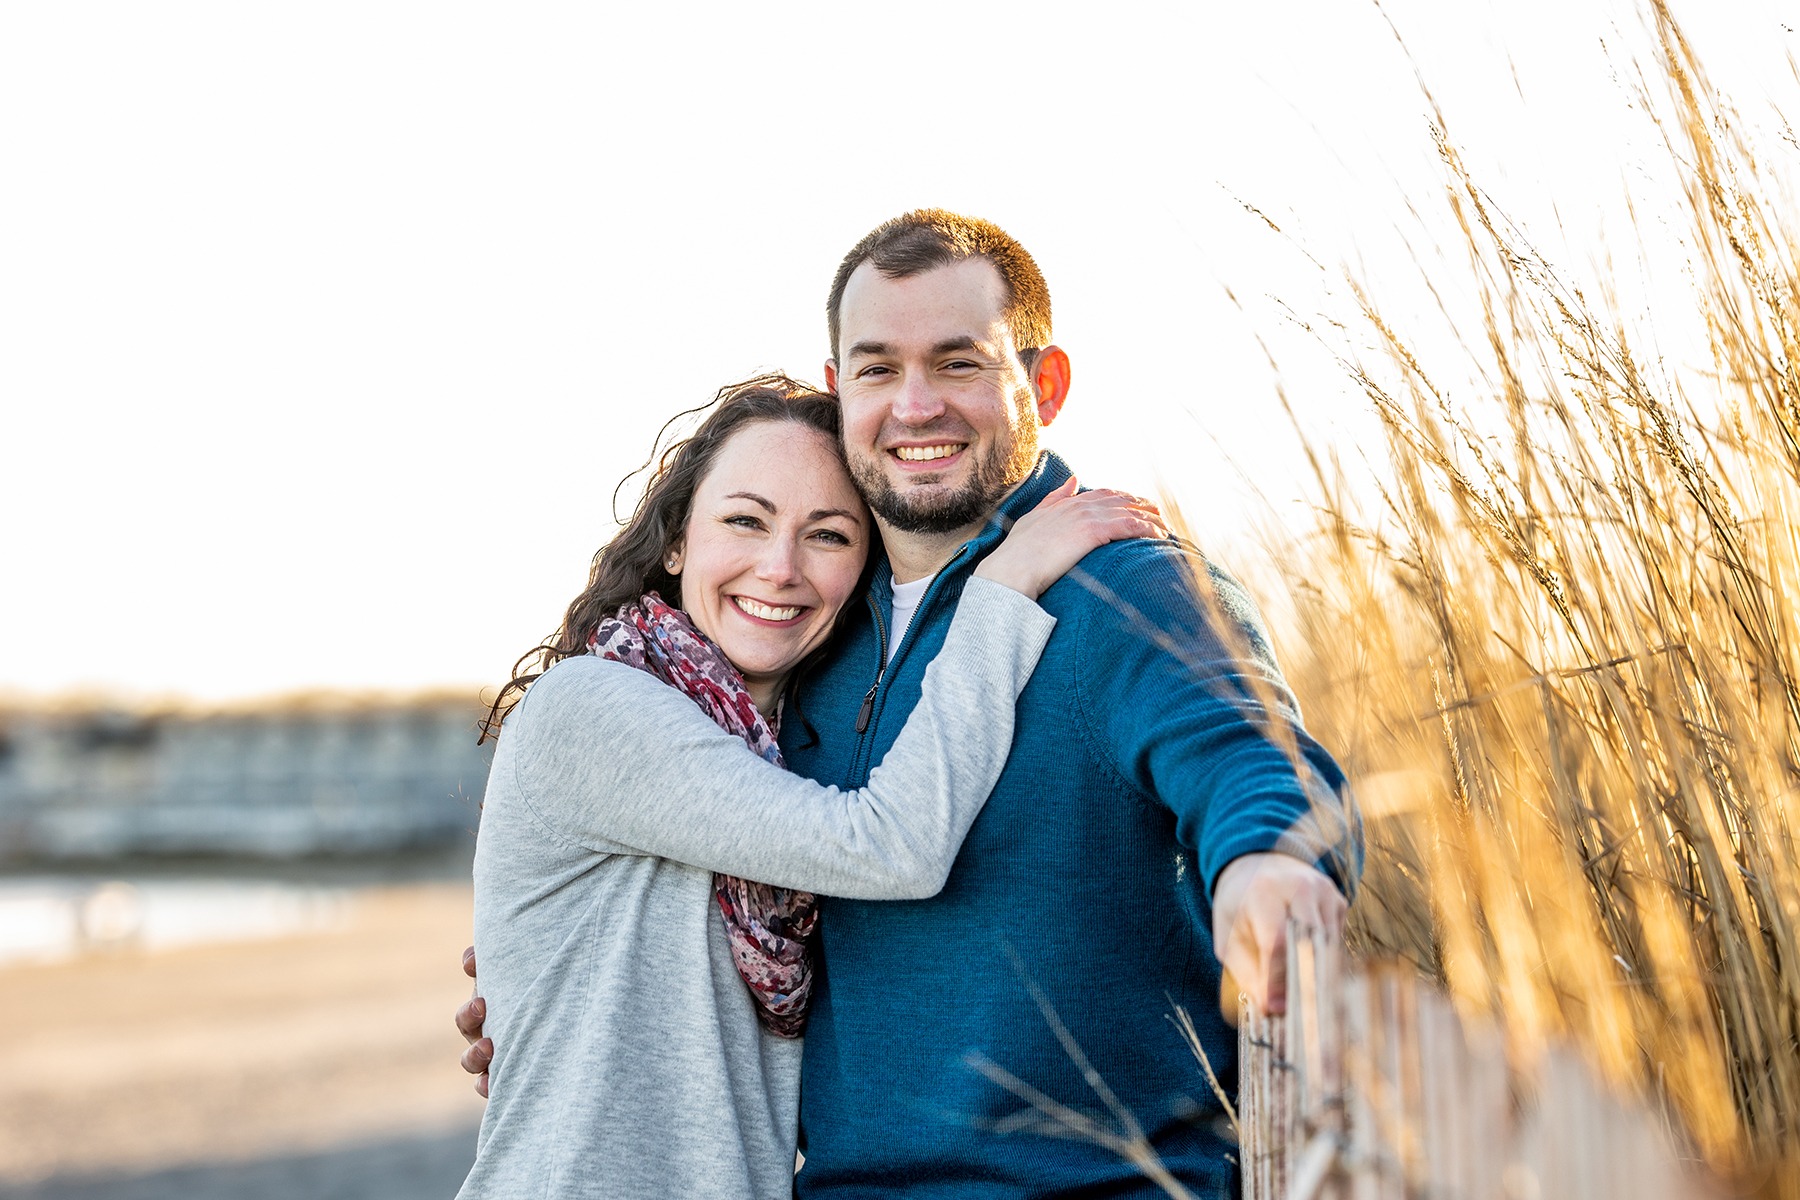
x=1182 y=695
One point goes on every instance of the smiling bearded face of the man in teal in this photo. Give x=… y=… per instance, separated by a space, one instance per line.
x=940 y=415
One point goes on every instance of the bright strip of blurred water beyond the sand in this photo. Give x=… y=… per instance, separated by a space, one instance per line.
x=53 y=918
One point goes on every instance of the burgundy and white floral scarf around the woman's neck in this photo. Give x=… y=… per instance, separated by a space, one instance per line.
x=769 y=927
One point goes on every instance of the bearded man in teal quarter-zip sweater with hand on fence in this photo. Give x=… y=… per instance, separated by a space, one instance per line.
x=1160 y=793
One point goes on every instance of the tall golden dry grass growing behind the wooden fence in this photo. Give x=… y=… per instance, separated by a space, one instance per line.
x=1561 y=654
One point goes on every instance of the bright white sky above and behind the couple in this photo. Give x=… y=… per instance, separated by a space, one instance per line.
x=327 y=330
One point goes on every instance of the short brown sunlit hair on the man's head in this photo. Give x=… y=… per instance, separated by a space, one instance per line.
x=930 y=238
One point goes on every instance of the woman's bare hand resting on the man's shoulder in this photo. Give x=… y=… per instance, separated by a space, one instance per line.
x=1065 y=526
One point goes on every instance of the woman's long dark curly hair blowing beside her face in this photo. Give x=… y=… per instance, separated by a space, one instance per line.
x=634 y=560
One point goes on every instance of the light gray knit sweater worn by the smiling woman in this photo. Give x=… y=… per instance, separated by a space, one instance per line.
x=629 y=1061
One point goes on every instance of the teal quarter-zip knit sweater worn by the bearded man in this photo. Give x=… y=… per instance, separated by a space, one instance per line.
x=1151 y=749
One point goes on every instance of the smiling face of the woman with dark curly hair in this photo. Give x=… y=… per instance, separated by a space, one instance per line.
x=773 y=550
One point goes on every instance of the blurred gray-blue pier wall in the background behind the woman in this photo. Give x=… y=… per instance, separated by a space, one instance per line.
x=310 y=778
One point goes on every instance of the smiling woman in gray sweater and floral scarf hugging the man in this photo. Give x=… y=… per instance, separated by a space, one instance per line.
x=643 y=1010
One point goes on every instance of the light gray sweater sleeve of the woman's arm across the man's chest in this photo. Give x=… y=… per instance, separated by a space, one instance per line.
x=620 y=762
